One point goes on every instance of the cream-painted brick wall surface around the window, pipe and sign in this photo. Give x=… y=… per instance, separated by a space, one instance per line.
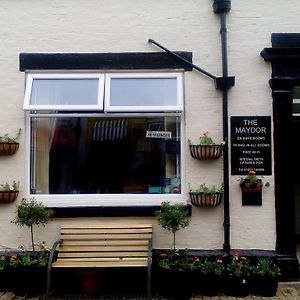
x=125 y=26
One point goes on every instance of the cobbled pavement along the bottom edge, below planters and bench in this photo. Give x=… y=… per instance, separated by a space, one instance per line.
x=290 y=291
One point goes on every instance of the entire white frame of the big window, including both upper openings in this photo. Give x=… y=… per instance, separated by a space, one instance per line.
x=111 y=200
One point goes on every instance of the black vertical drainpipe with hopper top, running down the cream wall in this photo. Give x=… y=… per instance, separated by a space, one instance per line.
x=222 y=7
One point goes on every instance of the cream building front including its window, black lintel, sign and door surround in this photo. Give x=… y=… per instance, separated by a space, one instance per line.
x=106 y=116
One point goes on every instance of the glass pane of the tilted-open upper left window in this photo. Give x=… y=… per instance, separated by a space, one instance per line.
x=64 y=92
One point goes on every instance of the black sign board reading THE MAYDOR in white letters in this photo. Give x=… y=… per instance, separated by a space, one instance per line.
x=251 y=145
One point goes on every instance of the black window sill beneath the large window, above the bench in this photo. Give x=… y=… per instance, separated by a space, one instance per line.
x=106 y=211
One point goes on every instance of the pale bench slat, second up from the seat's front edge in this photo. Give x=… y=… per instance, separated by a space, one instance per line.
x=101 y=254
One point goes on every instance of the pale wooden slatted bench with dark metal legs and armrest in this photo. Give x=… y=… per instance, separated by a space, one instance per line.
x=102 y=246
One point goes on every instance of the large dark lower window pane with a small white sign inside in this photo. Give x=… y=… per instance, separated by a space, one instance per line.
x=92 y=155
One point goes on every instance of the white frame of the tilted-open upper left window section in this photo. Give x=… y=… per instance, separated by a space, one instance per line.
x=93 y=107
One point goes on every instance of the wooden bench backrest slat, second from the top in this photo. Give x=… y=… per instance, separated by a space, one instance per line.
x=106 y=236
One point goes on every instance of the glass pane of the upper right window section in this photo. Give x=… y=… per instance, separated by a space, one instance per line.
x=143 y=91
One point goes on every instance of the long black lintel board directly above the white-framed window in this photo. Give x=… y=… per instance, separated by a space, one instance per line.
x=104 y=61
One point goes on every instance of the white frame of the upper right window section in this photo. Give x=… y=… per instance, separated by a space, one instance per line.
x=166 y=108
